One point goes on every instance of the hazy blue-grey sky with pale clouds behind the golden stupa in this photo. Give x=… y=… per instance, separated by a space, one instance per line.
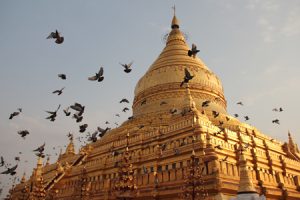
x=253 y=46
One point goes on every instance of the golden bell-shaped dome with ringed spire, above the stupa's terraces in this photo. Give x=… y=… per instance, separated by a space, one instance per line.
x=159 y=89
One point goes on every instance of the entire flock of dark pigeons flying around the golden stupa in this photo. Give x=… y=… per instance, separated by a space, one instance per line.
x=100 y=132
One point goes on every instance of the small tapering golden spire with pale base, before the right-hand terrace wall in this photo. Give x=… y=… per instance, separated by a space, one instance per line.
x=246 y=184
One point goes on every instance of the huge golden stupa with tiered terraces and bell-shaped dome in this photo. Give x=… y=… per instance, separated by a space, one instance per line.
x=195 y=152
